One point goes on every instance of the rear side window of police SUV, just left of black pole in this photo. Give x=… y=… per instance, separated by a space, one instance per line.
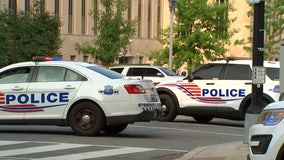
x=237 y=72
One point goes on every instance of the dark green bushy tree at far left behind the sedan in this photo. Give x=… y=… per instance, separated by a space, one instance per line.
x=37 y=33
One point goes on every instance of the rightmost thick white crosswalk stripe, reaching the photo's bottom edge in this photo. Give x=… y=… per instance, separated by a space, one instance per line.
x=98 y=154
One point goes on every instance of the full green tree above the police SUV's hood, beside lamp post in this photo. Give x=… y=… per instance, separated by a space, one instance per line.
x=201 y=31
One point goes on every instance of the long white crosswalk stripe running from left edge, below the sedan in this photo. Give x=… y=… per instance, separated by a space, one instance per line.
x=39 y=149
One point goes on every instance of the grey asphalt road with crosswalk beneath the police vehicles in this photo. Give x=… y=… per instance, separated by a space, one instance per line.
x=153 y=140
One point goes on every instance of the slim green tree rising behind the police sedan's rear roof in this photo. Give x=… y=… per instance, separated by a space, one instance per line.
x=114 y=31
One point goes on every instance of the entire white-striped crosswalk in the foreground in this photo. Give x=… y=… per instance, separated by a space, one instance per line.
x=55 y=146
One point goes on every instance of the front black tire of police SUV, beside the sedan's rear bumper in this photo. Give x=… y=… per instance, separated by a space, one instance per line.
x=169 y=109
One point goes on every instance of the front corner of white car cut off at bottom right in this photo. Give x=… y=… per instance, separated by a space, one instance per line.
x=266 y=136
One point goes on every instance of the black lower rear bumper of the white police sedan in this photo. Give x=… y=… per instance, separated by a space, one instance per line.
x=145 y=116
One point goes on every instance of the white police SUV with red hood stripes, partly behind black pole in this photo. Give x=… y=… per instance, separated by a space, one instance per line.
x=218 y=89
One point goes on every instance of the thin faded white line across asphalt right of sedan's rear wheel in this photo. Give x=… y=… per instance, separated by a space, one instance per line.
x=189 y=130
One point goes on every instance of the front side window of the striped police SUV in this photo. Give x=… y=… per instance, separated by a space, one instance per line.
x=208 y=72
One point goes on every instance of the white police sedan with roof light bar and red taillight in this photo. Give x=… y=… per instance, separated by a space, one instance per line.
x=87 y=97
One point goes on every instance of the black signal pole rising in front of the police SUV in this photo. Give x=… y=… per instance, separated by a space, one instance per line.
x=257 y=60
